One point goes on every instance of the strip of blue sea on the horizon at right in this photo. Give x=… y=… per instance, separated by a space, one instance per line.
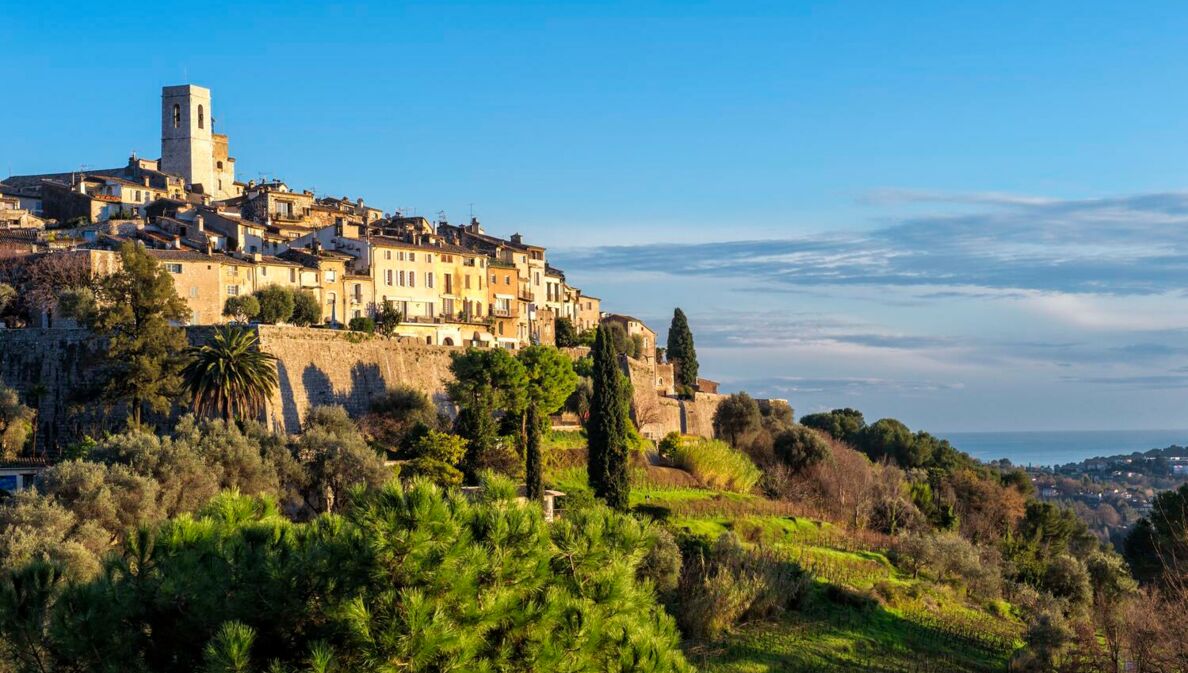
x=1060 y=448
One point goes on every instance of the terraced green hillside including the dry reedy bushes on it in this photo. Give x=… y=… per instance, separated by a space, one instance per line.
x=841 y=603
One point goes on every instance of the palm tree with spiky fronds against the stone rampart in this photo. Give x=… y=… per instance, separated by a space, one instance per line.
x=230 y=378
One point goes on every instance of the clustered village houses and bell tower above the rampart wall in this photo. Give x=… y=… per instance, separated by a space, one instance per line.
x=223 y=238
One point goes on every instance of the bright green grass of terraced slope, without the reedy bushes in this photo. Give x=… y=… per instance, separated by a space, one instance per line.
x=861 y=613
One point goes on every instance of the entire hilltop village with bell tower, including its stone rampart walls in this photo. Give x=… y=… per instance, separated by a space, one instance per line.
x=346 y=267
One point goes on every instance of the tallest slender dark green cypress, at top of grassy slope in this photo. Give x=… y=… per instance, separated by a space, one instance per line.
x=608 y=467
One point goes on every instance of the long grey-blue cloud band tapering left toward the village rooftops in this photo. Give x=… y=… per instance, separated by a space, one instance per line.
x=1126 y=246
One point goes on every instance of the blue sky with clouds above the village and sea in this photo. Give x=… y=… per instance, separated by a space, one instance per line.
x=964 y=217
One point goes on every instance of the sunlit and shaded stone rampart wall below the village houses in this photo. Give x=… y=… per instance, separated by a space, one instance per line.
x=55 y=370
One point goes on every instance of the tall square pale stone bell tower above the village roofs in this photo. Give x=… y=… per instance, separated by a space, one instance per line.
x=187 y=144
